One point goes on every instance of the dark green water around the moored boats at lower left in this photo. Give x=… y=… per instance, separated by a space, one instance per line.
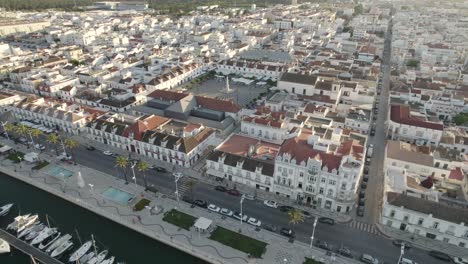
x=123 y=243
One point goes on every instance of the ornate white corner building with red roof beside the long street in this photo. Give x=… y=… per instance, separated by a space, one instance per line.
x=320 y=169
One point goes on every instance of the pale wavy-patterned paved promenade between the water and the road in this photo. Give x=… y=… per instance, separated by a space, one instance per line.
x=150 y=223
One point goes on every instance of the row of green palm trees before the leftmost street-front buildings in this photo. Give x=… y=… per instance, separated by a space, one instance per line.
x=34 y=133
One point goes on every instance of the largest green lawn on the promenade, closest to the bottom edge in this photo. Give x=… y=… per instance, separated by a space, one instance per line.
x=238 y=241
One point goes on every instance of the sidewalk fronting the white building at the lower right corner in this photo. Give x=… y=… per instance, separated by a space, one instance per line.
x=422 y=242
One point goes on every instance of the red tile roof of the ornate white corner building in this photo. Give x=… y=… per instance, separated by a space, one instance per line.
x=300 y=150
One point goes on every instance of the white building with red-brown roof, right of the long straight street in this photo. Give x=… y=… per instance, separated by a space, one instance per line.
x=406 y=127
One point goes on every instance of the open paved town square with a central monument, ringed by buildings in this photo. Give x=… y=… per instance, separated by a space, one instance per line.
x=216 y=88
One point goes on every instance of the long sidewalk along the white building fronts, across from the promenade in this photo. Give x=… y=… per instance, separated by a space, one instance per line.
x=259 y=194
